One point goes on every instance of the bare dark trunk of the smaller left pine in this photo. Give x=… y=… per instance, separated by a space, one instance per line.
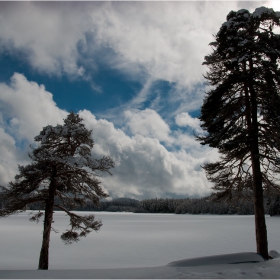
x=44 y=254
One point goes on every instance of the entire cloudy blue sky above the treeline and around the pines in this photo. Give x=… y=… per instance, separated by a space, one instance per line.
x=133 y=71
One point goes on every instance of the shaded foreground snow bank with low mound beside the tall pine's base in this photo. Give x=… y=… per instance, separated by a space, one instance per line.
x=230 y=266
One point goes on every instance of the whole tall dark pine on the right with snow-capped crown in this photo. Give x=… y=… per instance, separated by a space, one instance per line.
x=241 y=111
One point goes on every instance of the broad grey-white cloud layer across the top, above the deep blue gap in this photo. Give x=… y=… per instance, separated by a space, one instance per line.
x=160 y=40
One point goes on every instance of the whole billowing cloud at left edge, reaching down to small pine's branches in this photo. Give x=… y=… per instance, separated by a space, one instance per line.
x=25 y=108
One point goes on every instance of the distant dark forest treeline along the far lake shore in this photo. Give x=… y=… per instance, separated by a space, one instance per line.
x=179 y=206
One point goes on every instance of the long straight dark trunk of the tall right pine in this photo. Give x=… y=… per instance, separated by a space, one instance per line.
x=260 y=226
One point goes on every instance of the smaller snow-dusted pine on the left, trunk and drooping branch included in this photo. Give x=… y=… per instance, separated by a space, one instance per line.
x=62 y=175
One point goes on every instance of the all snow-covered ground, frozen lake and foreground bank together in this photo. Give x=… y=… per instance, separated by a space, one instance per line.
x=140 y=246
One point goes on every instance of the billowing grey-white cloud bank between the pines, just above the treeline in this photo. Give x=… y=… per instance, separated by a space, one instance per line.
x=144 y=167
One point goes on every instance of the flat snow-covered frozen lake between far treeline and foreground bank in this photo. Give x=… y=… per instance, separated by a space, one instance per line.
x=131 y=240
